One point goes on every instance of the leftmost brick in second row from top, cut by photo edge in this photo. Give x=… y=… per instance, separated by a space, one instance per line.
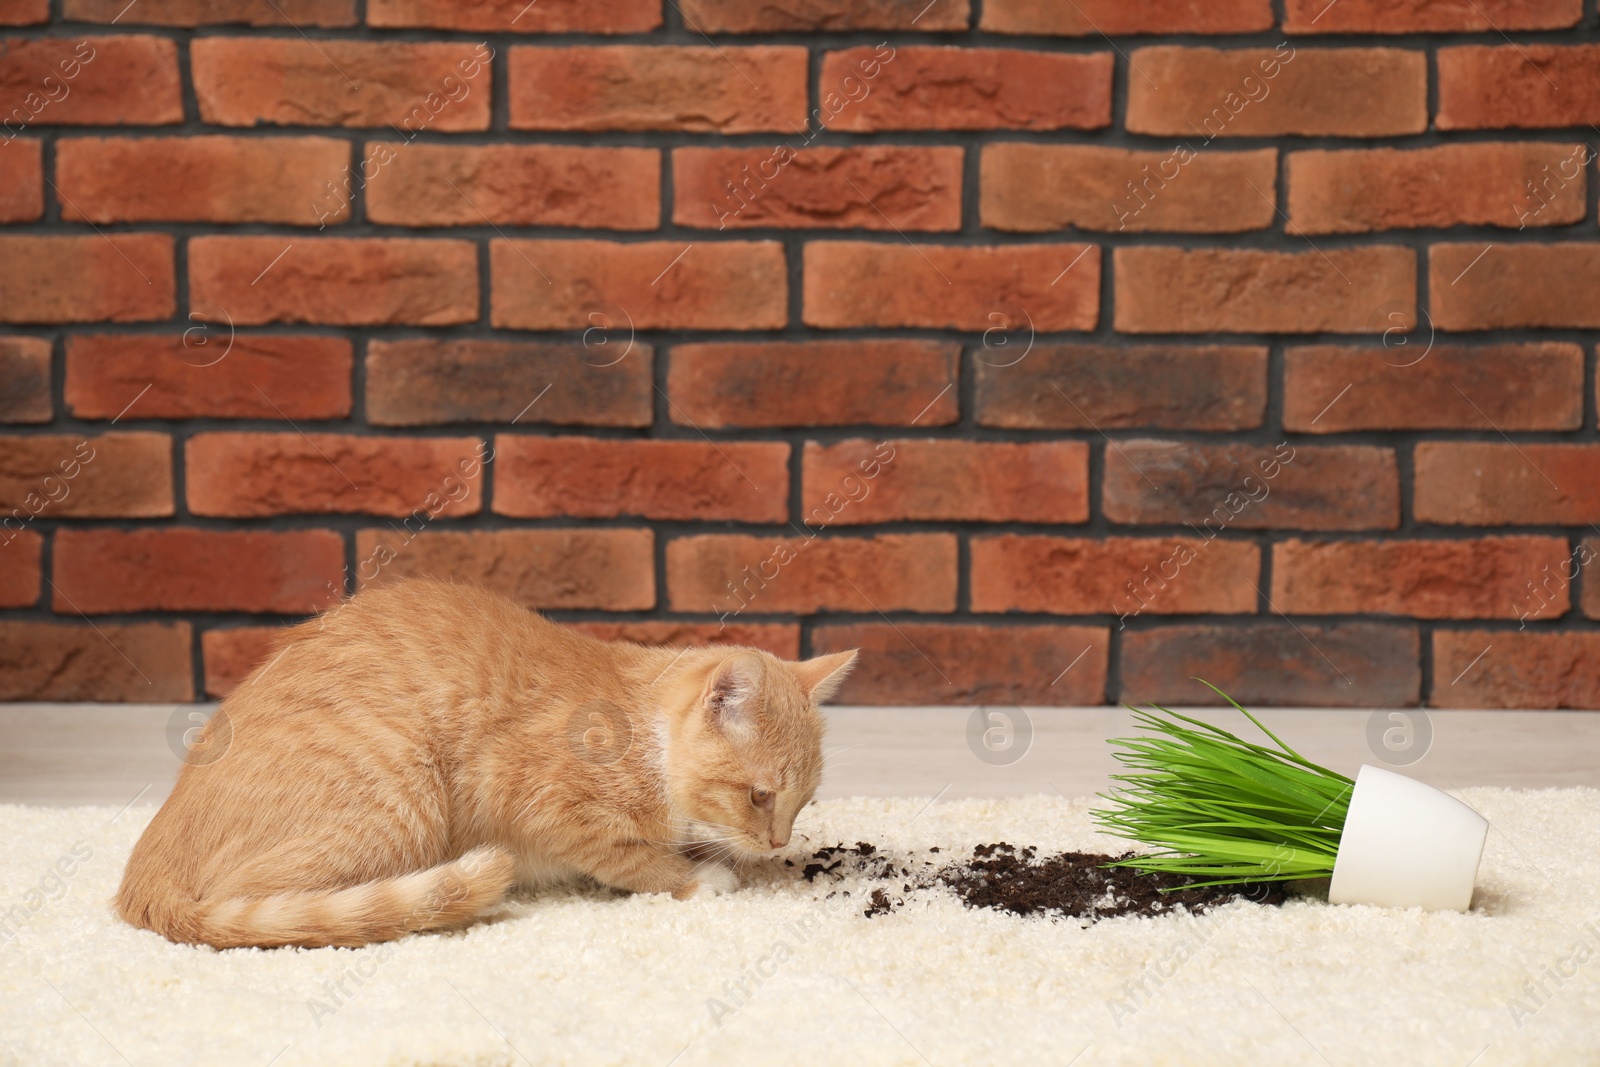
x=90 y=82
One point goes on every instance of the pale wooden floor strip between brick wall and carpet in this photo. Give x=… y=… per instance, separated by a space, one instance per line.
x=114 y=754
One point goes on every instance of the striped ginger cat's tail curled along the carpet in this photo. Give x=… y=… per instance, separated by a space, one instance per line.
x=438 y=898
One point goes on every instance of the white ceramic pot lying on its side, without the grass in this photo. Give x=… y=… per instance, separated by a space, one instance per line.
x=1407 y=845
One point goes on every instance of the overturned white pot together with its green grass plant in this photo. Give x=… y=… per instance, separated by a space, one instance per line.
x=1228 y=812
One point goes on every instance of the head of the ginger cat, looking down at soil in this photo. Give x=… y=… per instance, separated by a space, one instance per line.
x=748 y=754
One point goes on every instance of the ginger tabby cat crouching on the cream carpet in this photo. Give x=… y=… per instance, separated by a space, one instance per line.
x=420 y=749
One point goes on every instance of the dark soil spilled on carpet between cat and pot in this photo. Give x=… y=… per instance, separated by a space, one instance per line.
x=1018 y=881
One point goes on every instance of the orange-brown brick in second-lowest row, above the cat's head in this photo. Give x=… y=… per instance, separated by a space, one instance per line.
x=729 y=575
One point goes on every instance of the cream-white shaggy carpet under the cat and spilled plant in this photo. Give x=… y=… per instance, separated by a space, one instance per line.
x=594 y=978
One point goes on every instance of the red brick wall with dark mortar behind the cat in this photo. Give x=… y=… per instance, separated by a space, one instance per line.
x=1050 y=353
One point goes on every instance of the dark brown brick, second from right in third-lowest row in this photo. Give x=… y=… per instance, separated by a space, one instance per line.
x=1212 y=489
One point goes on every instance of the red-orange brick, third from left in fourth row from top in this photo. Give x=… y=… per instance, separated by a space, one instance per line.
x=649 y=286
